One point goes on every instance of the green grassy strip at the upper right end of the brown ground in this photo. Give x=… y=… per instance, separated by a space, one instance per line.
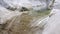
x=40 y=13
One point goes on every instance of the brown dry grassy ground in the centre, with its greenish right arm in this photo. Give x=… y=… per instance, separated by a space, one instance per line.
x=19 y=24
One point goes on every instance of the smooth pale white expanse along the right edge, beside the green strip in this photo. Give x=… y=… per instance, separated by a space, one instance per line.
x=52 y=26
